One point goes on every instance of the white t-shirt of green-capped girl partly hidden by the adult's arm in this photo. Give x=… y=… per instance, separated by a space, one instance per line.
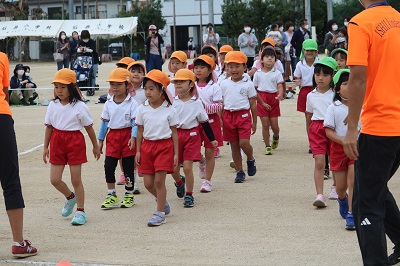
x=335 y=115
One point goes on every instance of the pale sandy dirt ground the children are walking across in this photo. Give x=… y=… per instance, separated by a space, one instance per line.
x=268 y=220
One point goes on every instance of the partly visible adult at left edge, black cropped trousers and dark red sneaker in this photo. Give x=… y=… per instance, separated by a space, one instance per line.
x=9 y=170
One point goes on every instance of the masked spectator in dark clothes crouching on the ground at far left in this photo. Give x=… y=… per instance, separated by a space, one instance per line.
x=23 y=92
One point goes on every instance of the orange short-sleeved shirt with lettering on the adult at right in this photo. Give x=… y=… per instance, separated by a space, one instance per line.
x=374 y=42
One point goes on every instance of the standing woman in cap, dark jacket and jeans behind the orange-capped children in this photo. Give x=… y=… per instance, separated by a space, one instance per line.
x=153 y=49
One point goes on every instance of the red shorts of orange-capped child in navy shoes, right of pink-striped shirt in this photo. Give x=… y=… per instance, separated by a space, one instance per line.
x=236 y=125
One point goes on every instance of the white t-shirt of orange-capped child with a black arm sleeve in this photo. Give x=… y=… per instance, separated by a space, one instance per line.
x=190 y=113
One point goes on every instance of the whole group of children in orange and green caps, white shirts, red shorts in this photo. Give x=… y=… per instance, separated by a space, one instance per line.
x=154 y=124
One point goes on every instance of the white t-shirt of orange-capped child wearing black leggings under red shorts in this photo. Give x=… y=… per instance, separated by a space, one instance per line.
x=120 y=115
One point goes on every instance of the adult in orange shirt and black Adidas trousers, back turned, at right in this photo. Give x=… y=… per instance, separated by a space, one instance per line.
x=374 y=36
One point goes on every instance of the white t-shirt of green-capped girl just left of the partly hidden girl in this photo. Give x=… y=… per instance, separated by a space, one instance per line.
x=318 y=103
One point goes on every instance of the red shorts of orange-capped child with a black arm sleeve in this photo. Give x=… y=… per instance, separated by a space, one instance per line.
x=189 y=144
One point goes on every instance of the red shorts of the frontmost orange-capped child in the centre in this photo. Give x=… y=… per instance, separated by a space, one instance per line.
x=156 y=155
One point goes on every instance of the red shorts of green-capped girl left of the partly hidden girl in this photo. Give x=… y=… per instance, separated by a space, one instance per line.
x=319 y=142
